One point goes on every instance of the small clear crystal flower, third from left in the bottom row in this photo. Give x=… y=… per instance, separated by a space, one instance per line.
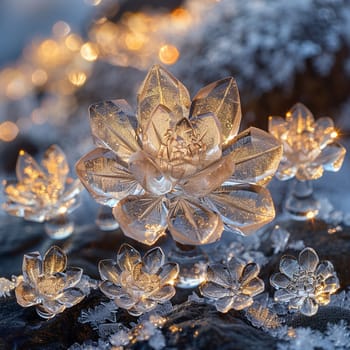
x=232 y=286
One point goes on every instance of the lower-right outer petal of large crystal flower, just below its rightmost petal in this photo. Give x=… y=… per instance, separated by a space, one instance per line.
x=243 y=208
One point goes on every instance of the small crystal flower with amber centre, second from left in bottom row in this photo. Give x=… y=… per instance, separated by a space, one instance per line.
x=135 y=284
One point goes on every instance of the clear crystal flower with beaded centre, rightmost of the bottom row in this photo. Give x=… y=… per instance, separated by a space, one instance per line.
x=305 y=283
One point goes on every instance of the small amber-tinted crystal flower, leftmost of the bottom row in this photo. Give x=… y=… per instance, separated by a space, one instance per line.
x=48 y=283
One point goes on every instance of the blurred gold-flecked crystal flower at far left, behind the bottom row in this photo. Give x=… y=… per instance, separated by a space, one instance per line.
x=42 y=193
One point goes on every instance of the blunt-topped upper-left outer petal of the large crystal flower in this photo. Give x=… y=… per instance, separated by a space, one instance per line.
x=113 y=126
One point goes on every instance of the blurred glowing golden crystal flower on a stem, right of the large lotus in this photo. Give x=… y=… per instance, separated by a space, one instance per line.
x=309 y=146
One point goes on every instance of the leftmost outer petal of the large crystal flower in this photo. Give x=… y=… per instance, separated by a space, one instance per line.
x=105 y=178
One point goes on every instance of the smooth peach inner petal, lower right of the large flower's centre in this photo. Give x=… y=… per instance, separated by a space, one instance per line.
x=210 y=178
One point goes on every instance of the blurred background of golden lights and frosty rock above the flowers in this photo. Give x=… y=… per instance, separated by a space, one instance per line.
x=58 y=57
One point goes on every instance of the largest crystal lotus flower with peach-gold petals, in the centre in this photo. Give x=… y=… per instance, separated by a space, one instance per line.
x=180 y=165
